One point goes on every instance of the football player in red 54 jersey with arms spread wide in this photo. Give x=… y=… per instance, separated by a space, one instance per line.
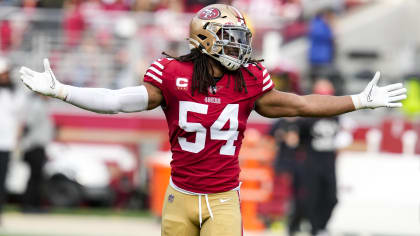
x=207 y=97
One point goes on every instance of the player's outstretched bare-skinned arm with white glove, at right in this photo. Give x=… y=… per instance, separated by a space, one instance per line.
x=280 y=104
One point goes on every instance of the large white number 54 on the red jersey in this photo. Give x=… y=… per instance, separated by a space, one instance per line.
x=230 y=113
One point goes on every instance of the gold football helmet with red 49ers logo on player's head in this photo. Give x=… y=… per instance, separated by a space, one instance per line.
x=220 y=31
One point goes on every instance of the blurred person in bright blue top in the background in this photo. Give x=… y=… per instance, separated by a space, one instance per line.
x=322 y=43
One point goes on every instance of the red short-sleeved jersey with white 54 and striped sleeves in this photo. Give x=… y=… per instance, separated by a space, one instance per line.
x=205 y=131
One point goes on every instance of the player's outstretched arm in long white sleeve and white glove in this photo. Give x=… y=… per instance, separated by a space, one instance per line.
x=130 y=99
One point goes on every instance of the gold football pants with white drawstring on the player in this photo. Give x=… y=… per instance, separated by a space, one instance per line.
x=216 y=214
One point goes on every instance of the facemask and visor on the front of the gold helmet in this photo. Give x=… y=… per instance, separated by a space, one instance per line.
x=232 y=46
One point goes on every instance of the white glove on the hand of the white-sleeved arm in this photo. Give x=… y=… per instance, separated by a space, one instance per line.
x=44 y=83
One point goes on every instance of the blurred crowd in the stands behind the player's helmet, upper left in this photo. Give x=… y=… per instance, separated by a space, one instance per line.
x=115 y=40
